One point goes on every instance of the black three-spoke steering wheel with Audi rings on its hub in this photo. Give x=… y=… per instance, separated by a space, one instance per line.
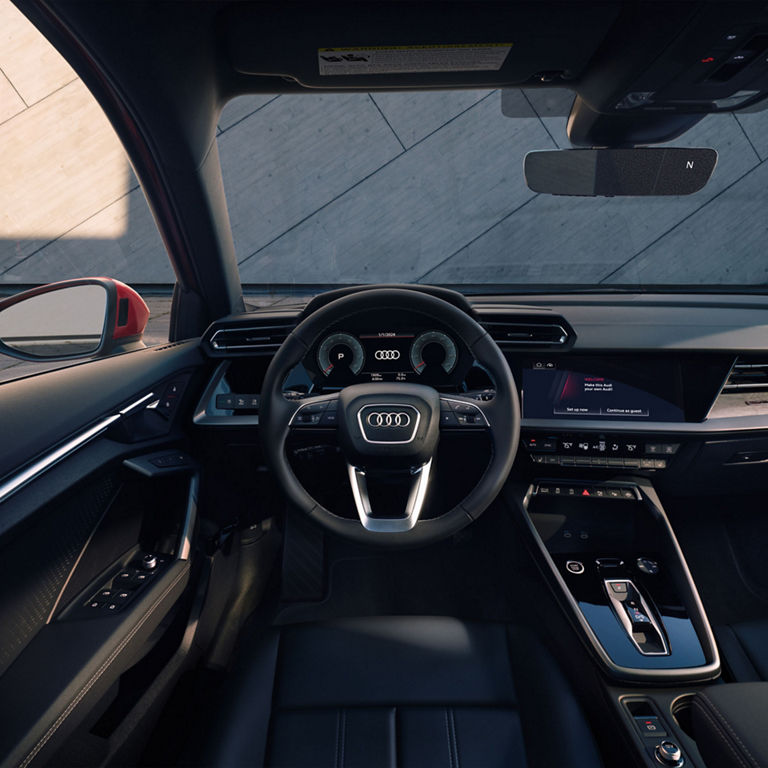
x=391 y=429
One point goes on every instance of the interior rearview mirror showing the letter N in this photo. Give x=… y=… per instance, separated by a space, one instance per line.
x=620 y=172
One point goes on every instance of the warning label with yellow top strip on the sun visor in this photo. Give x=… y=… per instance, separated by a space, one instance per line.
x=392 y=59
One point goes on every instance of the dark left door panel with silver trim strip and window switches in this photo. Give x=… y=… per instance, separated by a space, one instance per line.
x=77 y=527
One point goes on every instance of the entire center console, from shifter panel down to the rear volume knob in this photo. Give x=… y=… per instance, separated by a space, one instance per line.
x=608 y=551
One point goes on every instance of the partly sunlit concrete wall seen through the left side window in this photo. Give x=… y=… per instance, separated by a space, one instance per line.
x=70 y=205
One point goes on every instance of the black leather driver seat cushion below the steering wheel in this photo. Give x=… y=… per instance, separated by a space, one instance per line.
x=399 y=691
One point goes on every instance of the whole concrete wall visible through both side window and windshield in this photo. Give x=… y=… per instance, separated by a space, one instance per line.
x=346 y=188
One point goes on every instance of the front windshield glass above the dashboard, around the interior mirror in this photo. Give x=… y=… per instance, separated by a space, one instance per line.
x=428 y=187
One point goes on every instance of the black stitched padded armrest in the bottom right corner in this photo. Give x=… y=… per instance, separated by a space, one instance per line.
x=729 y=722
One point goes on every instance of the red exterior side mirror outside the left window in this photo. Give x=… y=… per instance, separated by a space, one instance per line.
x=72 y=319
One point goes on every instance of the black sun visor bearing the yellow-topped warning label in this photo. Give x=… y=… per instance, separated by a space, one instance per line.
x=366 y=46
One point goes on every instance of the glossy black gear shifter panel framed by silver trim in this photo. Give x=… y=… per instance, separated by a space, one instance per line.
x=620 y=572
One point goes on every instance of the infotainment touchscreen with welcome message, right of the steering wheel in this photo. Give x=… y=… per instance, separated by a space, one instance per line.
x=595 y=389
